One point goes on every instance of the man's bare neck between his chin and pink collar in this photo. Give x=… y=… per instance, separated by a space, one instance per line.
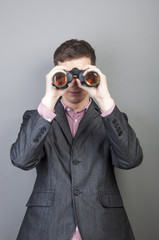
x=76 y=106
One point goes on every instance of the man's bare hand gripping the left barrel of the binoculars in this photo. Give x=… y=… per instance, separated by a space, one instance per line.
x=52 y=93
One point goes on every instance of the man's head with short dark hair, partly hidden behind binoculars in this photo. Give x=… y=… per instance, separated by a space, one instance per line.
x=75 y=54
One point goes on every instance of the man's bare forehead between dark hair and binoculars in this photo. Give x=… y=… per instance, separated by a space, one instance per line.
x=79 y=63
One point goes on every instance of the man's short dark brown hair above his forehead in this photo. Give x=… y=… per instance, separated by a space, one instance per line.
x=74 y=49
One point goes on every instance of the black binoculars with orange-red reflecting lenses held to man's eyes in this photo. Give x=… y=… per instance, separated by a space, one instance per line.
x=61 y=80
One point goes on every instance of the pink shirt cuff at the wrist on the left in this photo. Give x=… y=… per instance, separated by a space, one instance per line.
x=46 y=113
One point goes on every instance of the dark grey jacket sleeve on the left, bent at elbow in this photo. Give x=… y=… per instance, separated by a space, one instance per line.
x=27 y=151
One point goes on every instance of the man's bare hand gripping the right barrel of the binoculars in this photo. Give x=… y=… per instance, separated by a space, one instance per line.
x=100 y=93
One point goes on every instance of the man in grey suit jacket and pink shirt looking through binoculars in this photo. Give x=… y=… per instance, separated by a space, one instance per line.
x=75 y=145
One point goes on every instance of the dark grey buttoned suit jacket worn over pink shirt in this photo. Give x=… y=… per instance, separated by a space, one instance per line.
x=75 y=181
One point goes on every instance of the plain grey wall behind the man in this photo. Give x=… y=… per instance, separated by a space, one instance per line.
x=125 y=35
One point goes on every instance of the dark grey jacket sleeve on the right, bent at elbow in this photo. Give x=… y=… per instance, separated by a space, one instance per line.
x=125 y=147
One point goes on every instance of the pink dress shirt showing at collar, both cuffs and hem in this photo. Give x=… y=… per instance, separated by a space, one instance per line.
x=73 y=120
